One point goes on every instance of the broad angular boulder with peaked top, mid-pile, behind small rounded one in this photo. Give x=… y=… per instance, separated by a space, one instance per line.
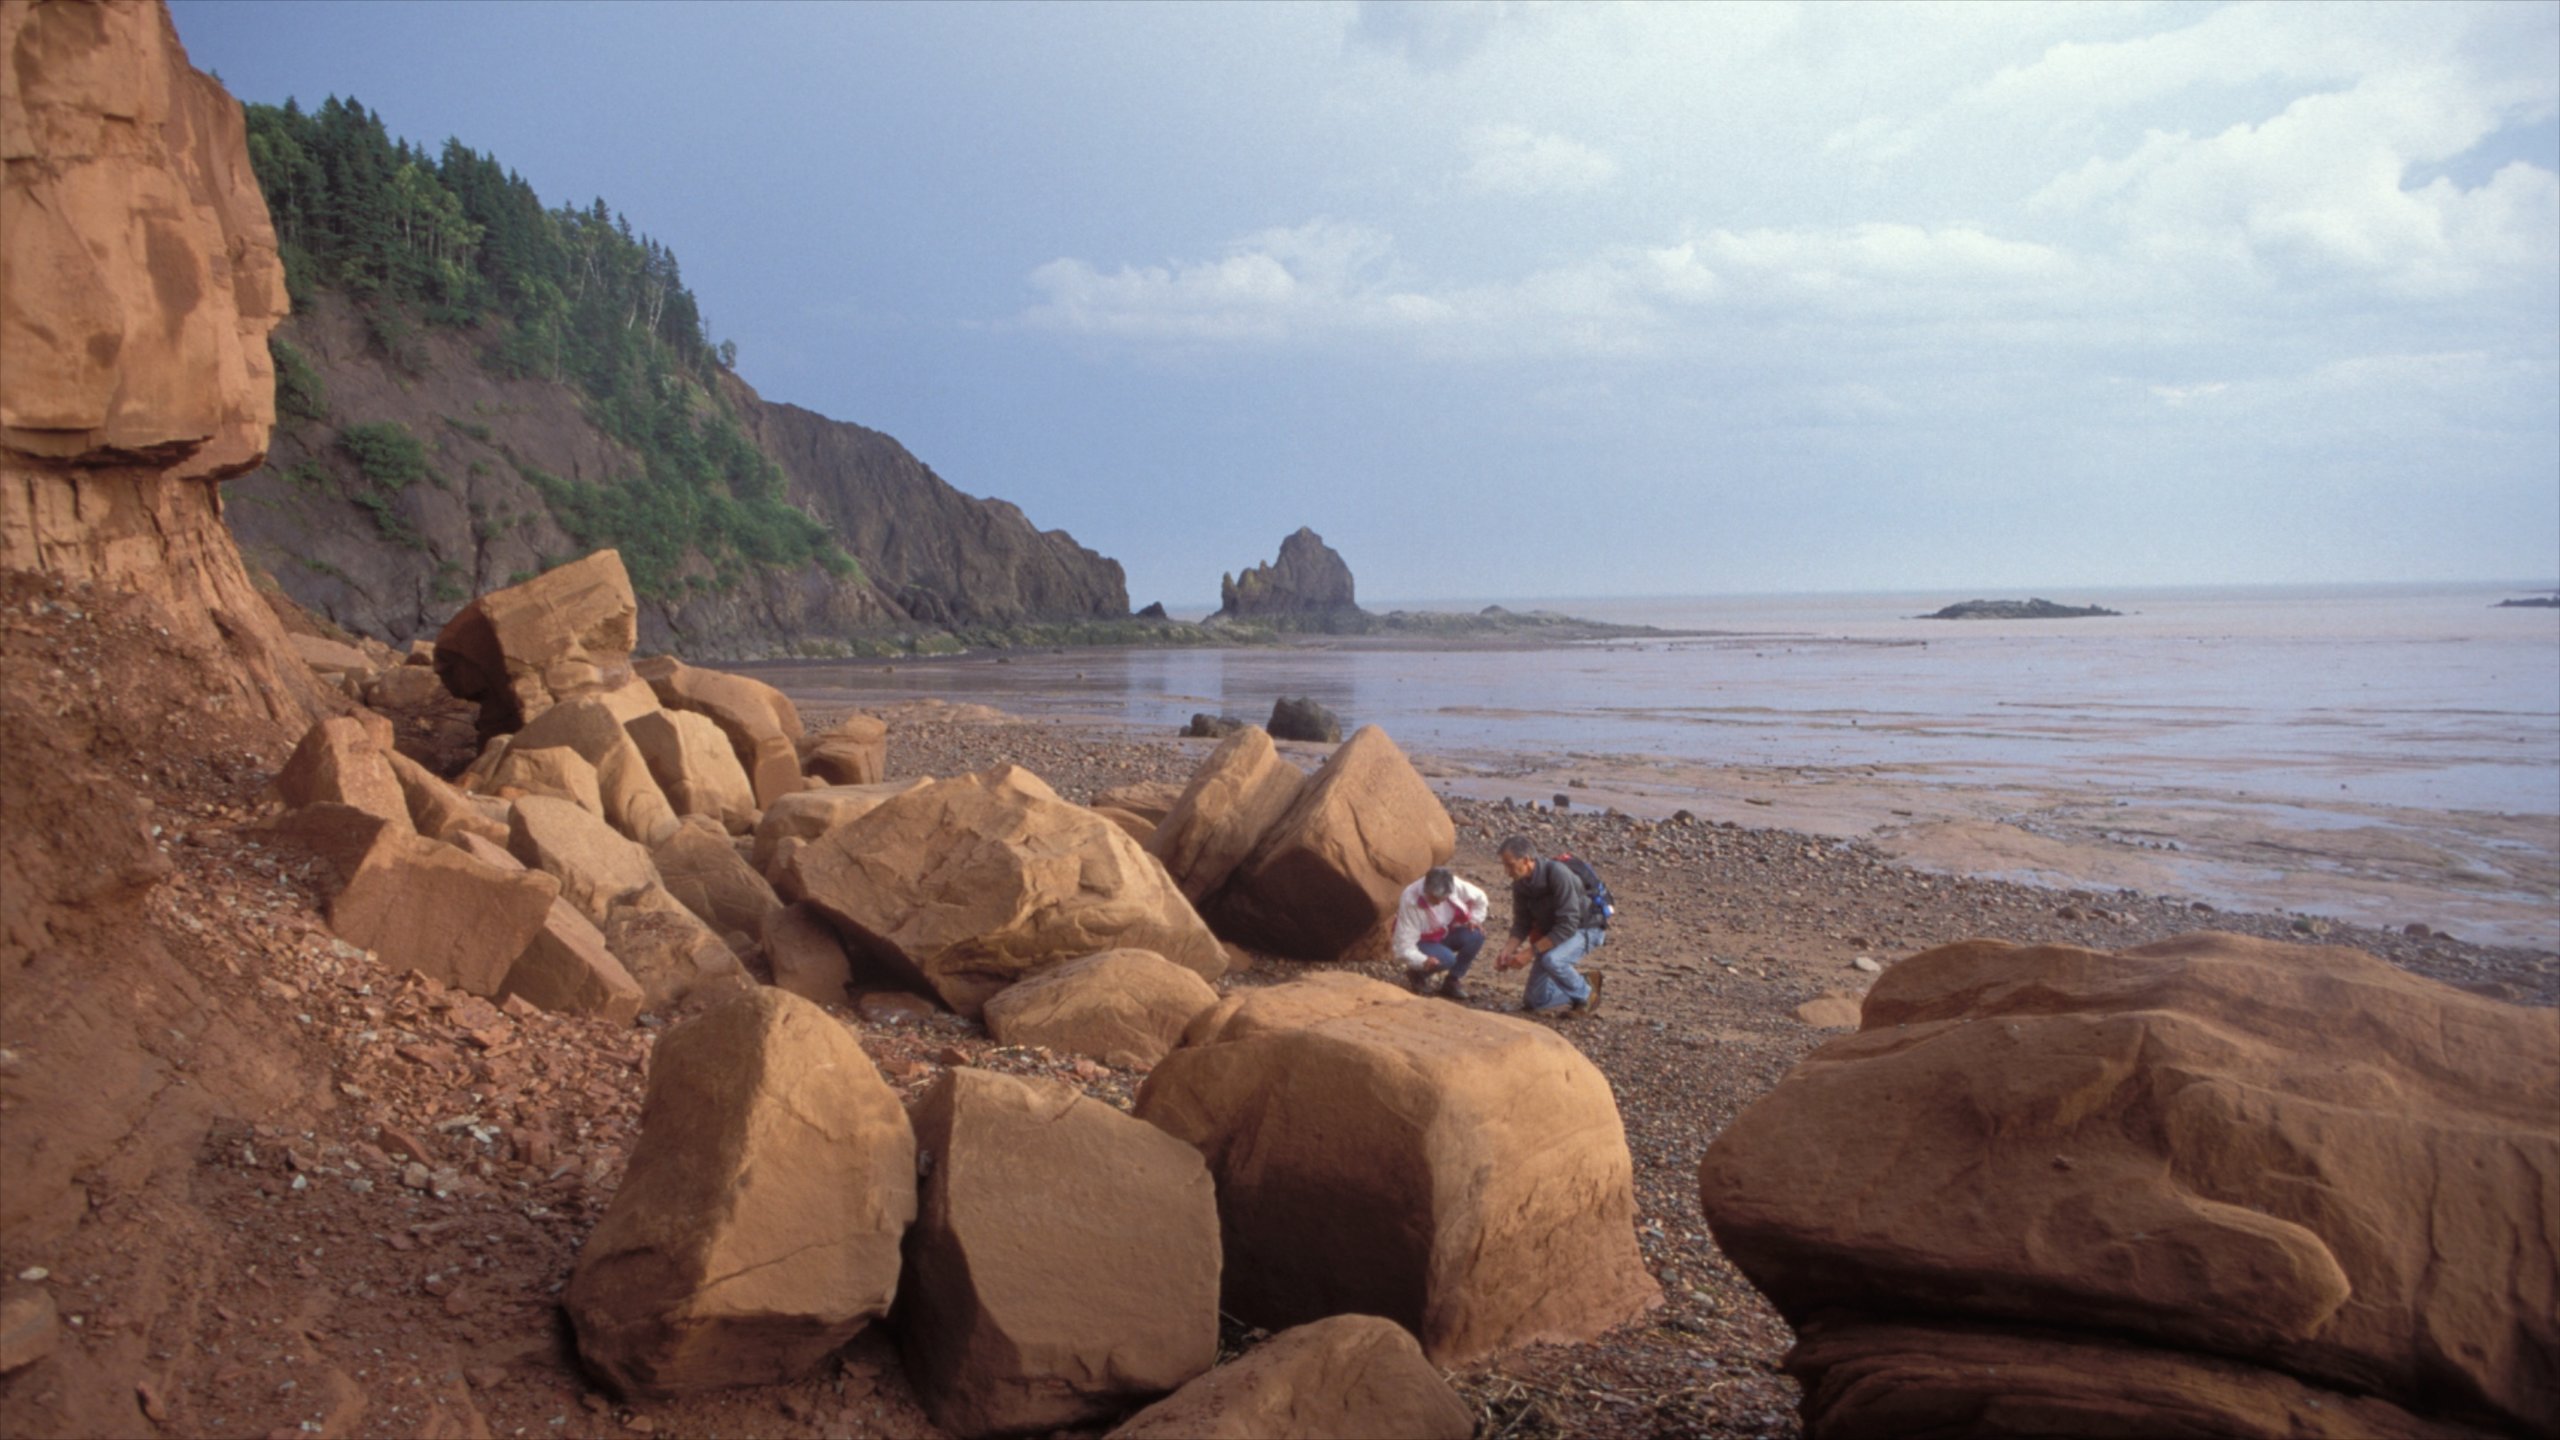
x=977 y=883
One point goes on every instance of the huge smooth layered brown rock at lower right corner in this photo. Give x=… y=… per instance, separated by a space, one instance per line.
x=2205 y=1154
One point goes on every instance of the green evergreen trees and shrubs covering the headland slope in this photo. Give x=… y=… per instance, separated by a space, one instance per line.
x=570 y=296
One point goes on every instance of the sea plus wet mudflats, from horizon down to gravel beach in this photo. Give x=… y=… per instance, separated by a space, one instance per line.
x=2364 y=752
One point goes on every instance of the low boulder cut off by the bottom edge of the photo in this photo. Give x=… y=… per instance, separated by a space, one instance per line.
x=1353 y=1375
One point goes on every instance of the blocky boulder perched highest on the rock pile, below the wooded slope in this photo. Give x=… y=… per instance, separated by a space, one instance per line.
x=526 y=647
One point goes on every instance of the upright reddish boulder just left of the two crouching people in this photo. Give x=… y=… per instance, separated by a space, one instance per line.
x=1332 y=867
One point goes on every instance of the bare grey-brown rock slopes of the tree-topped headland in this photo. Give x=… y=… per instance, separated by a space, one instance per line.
x=396 y=565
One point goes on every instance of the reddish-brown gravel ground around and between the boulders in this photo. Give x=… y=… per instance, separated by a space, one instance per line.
x=380 y=1249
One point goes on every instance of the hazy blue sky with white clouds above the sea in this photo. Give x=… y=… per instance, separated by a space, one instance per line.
x=1573 y=301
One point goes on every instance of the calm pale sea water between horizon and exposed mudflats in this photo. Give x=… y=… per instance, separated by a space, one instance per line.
x=2390 y=696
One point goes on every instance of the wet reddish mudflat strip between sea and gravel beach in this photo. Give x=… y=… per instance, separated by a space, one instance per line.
x=2477 y=878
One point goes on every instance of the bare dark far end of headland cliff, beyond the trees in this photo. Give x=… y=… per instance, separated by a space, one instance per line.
x=943 y=557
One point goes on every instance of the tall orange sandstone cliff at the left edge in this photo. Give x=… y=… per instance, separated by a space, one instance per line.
x=137 y=288
